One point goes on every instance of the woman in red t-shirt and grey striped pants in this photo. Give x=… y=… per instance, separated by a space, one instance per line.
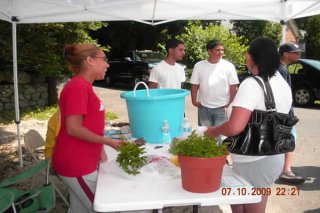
x=79 y=147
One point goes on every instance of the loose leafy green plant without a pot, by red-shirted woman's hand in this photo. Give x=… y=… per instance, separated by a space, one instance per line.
x=130 y=158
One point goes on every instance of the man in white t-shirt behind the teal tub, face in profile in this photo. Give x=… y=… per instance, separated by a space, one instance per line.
x=168 y=73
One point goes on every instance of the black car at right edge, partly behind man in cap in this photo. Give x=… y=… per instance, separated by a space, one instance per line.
x=305 y=77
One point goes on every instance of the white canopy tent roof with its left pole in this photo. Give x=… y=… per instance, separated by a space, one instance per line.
x=151 y=12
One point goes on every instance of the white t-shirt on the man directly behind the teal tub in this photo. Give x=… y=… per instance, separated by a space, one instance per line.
x=168 y=76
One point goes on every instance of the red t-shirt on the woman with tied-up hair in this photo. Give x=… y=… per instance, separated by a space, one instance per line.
x=73 y=157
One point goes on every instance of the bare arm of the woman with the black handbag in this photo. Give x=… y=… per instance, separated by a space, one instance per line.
x=236 y=123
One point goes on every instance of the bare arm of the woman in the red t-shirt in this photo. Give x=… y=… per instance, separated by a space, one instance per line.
x=74 y=128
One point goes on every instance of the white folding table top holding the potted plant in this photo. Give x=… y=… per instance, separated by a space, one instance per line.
x=118 y=191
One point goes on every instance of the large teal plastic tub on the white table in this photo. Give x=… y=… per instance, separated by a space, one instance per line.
x=147 y=112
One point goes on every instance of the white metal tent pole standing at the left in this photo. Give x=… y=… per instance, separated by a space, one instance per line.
x=15 y=85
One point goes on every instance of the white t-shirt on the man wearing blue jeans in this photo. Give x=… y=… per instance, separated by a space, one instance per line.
x=214 y=82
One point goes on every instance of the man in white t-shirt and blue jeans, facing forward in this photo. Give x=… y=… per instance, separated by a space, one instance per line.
x=214 y=84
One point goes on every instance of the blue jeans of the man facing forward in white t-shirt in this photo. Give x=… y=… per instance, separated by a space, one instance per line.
x=211 y=116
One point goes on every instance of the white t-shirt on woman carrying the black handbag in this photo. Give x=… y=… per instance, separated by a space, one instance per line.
x=250 y=96
